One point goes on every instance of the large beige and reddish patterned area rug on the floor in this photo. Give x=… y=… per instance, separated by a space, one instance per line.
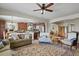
x=41 y=50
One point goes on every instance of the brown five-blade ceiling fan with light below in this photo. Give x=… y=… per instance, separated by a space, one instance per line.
x=44 y=7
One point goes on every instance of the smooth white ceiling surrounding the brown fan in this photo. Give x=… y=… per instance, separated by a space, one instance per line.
x=60 y=9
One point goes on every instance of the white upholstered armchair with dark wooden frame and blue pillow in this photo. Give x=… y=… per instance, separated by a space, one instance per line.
x=71 y=40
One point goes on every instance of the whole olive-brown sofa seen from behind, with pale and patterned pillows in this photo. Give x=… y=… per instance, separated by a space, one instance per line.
x=19 y=39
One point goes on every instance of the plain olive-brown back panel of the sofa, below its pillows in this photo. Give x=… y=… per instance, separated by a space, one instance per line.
x=20 y=42
